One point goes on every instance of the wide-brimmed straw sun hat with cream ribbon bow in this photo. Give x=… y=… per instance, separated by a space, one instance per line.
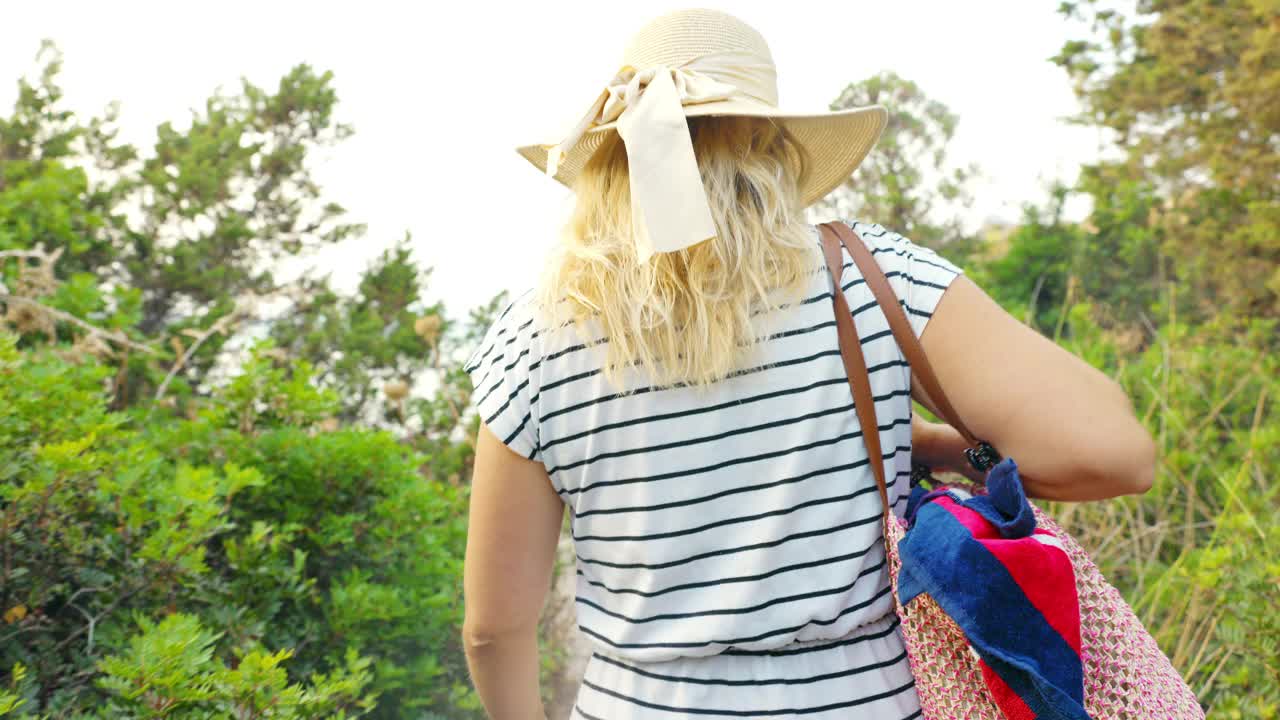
x=685 y=65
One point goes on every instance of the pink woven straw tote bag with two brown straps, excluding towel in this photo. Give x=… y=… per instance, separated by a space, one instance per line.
x=1126 y=675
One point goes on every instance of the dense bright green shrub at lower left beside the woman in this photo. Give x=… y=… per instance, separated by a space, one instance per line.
x=243 y=562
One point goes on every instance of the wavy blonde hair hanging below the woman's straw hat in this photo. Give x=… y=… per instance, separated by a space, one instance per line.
x=687 y=317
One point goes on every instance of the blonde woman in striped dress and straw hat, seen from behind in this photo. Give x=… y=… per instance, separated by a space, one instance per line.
x=676 y=384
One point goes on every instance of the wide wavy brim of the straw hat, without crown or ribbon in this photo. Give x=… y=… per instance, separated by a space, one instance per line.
x=834 y=143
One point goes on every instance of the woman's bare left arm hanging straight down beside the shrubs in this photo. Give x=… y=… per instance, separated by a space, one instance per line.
x=513 y=531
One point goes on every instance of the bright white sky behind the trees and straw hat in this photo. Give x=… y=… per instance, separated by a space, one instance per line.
x=441 y=94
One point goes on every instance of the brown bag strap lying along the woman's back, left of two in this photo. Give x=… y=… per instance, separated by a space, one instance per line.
x=856 y=366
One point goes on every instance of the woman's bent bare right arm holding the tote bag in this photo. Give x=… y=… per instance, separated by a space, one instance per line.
x=1069 y=427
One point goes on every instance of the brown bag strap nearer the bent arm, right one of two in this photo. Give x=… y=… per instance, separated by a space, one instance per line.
x=903 y=332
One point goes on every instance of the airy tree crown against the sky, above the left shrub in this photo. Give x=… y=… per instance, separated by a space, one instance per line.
x=231 y=195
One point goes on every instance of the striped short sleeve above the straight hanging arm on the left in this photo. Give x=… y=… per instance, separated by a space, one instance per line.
x=504 y=371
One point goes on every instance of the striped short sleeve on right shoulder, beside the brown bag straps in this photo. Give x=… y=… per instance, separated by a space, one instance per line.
x=920 y=276
